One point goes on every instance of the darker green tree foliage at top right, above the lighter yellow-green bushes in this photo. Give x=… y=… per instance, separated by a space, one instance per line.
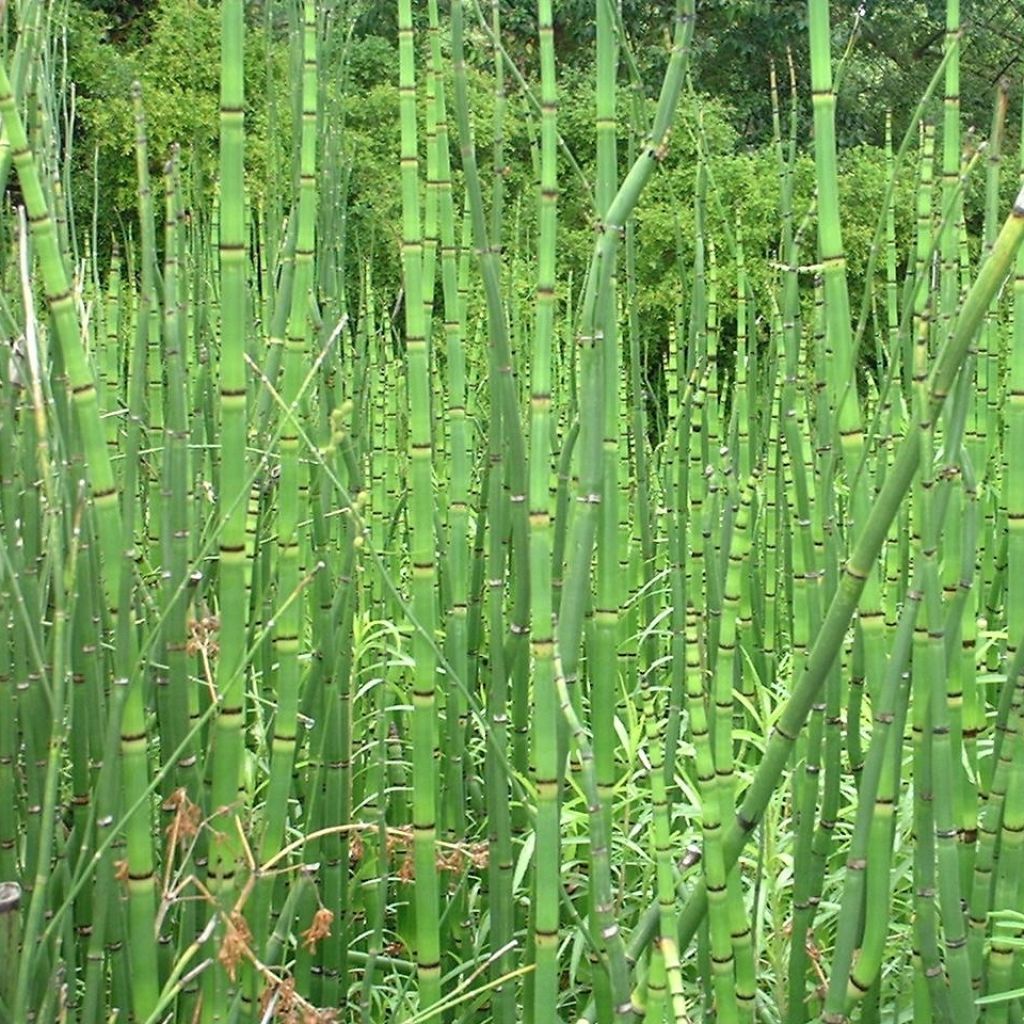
x=891 y=50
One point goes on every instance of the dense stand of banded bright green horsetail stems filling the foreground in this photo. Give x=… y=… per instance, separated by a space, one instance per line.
x=461 y=651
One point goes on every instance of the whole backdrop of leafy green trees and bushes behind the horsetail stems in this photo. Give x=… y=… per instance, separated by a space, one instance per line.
x=891 y=51
